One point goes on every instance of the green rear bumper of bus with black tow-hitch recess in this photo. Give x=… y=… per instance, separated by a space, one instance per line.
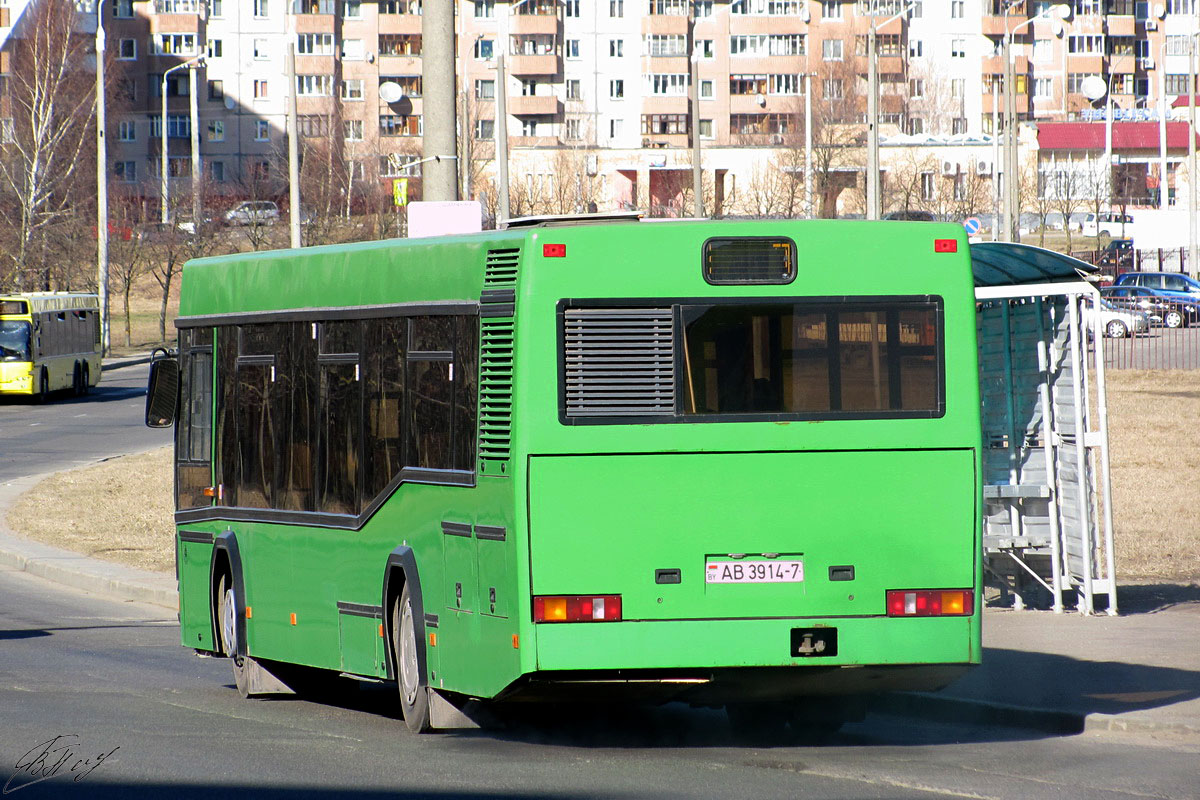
x=736 y=659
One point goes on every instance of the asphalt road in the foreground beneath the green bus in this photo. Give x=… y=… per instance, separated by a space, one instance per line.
x=136 y=715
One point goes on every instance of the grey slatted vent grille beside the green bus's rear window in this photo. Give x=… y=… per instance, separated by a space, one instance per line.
x=620 y=362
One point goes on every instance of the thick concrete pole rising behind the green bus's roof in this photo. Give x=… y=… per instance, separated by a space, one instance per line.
x=440 y=134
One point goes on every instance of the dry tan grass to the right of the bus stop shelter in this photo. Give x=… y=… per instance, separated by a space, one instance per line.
x=1155 y=455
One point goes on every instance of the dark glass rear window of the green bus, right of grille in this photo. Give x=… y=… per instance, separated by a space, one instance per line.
x=812 y=359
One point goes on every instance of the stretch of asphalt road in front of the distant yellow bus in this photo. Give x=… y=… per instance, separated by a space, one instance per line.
x=68 y=431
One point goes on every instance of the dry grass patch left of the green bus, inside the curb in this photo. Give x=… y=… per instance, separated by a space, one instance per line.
x=119 y=510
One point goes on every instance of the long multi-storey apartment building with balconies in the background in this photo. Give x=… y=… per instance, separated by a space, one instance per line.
x=604 y=87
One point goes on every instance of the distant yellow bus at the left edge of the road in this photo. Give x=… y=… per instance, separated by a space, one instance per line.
x=50 y=341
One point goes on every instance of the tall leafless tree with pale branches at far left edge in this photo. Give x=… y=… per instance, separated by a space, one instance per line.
x=52 y=100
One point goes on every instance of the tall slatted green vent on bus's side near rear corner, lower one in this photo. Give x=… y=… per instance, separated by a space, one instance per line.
x=495 y=394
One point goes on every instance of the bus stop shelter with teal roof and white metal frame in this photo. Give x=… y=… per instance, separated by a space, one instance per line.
x=1048 y=509
